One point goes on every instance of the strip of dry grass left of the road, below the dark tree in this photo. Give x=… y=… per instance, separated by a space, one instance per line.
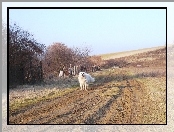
x=26 y=95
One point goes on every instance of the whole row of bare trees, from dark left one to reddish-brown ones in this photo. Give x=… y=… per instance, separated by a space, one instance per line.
x=30 y=62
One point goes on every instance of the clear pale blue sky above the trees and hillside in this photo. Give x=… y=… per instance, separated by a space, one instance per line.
x=102 y=30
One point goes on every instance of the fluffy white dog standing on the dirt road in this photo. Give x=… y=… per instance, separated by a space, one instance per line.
x=84 y=80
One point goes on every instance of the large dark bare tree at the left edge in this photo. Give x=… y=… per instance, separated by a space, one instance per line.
x=24 y=53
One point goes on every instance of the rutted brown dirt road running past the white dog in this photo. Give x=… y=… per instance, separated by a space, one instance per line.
x=116 y=102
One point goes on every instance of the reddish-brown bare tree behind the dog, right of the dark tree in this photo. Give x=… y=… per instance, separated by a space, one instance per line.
x=58 y=55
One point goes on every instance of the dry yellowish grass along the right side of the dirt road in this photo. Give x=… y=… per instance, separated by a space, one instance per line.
x=154 y=100
